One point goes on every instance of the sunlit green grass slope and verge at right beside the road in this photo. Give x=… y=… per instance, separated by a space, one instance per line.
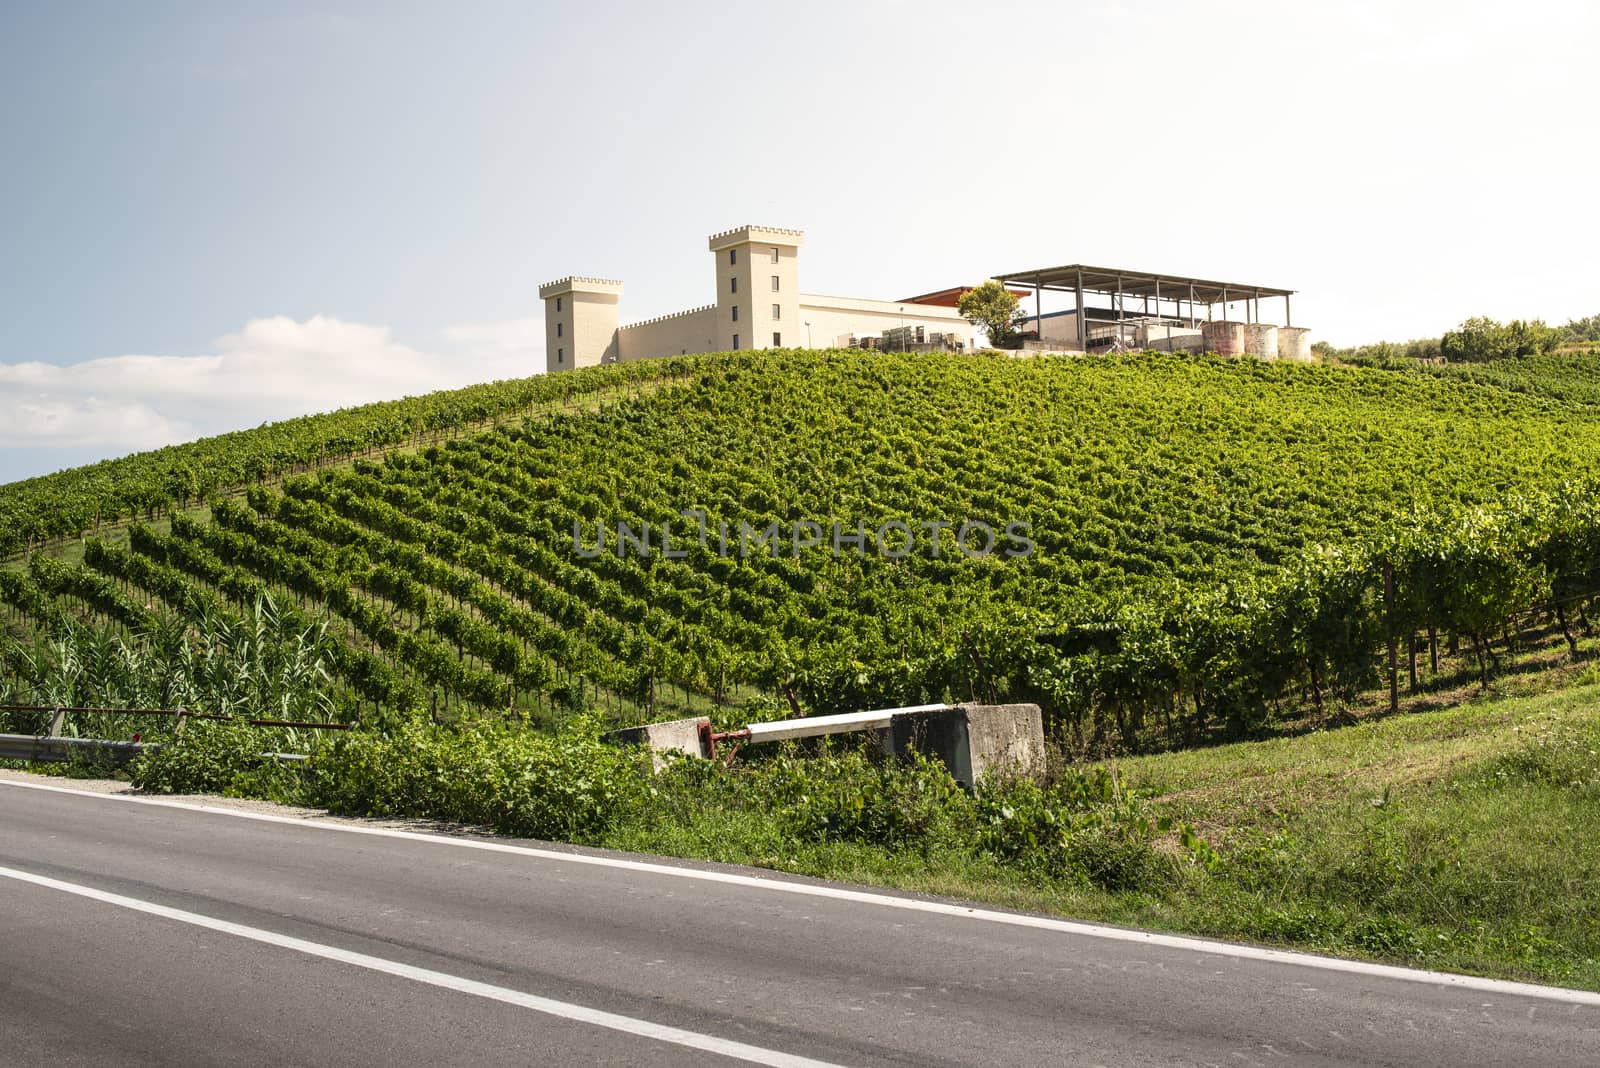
x=1462 y=840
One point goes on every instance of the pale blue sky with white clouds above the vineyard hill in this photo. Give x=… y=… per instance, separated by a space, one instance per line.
x=222 y=215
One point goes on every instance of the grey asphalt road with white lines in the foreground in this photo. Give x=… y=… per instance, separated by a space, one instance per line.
x=153 y=934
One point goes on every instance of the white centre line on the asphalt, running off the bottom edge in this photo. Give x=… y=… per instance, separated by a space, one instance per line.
x=548 y=1006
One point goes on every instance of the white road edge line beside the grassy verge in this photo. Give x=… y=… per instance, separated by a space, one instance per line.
x=908 y=904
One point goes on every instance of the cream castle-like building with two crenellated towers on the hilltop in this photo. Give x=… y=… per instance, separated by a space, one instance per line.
x=759 y=306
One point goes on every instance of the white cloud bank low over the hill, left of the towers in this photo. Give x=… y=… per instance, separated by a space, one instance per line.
x=274 y=369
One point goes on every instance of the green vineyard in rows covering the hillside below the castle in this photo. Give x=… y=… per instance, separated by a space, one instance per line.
x=1214 y=541
